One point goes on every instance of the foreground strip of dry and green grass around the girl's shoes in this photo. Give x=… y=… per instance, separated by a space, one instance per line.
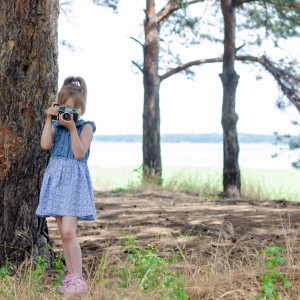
x=149 y=272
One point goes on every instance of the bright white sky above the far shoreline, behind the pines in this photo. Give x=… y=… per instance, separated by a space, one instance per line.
x=103 y=55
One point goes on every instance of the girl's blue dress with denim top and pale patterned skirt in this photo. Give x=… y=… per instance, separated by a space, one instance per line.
x=67 y=188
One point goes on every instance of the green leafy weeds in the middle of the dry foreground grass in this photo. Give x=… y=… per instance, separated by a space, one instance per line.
x=151 y=271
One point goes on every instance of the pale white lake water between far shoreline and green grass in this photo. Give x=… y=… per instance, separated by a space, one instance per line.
x=129 y=155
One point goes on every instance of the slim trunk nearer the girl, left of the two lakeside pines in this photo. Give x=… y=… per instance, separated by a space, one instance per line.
x=152 y=169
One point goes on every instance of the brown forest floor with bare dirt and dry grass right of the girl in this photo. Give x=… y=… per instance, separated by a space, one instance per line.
x=217 y=243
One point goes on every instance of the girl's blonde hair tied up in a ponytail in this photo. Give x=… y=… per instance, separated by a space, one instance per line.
x=75 y=88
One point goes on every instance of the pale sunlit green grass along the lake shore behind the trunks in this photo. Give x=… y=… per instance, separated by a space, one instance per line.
x=256 y=184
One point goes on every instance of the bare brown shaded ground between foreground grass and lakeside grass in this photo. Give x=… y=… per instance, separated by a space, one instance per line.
x=163 y=215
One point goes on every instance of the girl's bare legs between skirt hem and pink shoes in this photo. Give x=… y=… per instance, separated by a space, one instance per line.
x=67 y=227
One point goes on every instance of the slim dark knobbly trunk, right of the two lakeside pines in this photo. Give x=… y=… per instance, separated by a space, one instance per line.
x=229 y=77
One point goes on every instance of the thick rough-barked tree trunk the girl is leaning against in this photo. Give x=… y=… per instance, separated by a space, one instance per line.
x=28 y=84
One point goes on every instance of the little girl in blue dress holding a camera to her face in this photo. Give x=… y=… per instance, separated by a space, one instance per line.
x=67 y=192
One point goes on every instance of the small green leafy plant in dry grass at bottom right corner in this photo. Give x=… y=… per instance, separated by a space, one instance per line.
x=272 y=279
